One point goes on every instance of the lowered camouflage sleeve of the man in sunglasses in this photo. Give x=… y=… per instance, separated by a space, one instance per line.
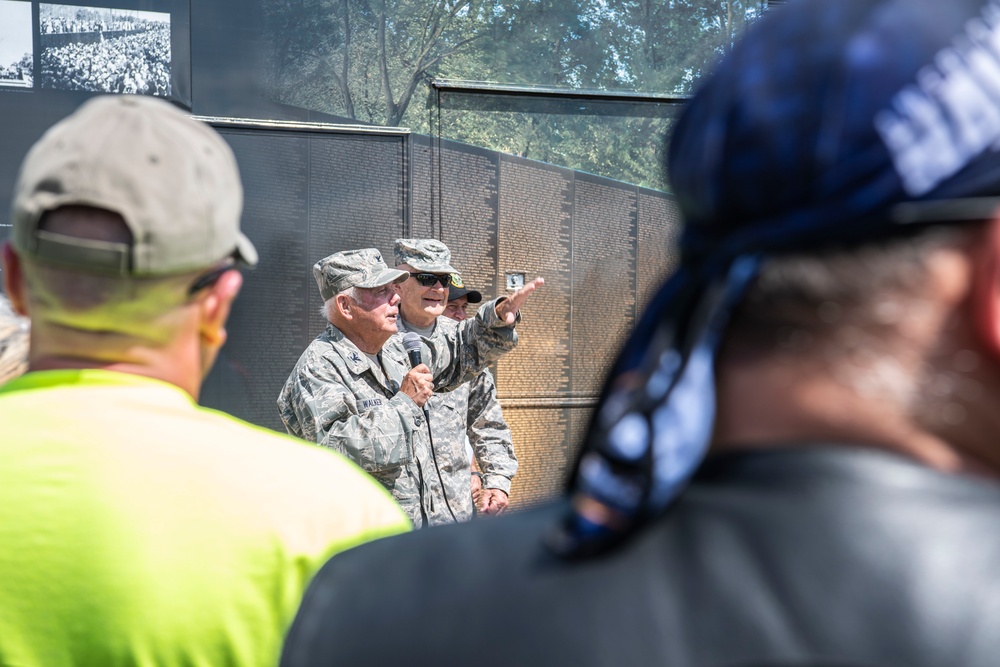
x=489 y=434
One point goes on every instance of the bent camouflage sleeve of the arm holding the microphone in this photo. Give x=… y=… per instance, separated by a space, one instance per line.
x=376 y=433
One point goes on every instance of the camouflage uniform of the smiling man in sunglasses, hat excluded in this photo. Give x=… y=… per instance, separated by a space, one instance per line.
x=471 y=411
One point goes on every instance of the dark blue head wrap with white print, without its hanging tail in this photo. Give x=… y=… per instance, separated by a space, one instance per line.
x=887 y=115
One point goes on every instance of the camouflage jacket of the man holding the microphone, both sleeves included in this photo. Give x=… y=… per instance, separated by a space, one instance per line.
x=337 y=397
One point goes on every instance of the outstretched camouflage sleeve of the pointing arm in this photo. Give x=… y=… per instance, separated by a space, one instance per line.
x=466 y=348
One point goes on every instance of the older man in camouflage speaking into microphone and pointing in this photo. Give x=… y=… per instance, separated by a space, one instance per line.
x=353 y=389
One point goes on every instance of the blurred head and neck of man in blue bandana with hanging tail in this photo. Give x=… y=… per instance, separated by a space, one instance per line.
x=841 y=258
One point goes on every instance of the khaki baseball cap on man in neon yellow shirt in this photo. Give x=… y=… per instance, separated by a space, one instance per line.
x=173 y=179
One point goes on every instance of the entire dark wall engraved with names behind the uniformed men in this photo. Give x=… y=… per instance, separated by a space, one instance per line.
x=310 y=192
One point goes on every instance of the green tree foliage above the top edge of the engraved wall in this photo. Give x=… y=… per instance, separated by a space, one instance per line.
x=372 y=61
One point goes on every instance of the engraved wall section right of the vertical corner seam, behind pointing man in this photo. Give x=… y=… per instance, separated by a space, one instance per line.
x=603 y=247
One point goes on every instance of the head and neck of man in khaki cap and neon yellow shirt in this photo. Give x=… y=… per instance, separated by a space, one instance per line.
x=125 y=227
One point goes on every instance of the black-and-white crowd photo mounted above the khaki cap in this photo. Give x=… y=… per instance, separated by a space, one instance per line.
x=102 y=49
